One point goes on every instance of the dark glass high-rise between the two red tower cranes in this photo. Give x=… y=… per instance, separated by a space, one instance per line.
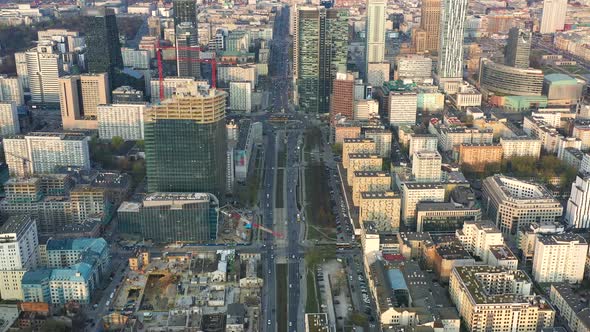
x=187 y=51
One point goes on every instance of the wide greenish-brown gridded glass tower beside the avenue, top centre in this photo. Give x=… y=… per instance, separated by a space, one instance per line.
x=320 y=51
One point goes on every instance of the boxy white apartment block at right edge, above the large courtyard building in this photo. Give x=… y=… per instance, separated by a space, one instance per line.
x=557 y=258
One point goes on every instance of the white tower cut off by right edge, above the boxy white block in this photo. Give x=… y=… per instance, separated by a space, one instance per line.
x=577 y=214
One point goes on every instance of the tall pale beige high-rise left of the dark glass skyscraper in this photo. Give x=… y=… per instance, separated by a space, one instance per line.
x=44 y=67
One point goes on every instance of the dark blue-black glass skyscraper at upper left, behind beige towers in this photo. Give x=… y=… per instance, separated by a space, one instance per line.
x=102 y=40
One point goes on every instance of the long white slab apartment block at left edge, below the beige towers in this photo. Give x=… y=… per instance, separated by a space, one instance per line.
x=39 y=152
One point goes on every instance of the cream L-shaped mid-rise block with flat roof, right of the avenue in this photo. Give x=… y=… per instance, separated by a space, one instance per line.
x=414 y=193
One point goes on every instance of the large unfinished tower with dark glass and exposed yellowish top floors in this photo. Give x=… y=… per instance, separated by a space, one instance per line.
x=186 y=142
